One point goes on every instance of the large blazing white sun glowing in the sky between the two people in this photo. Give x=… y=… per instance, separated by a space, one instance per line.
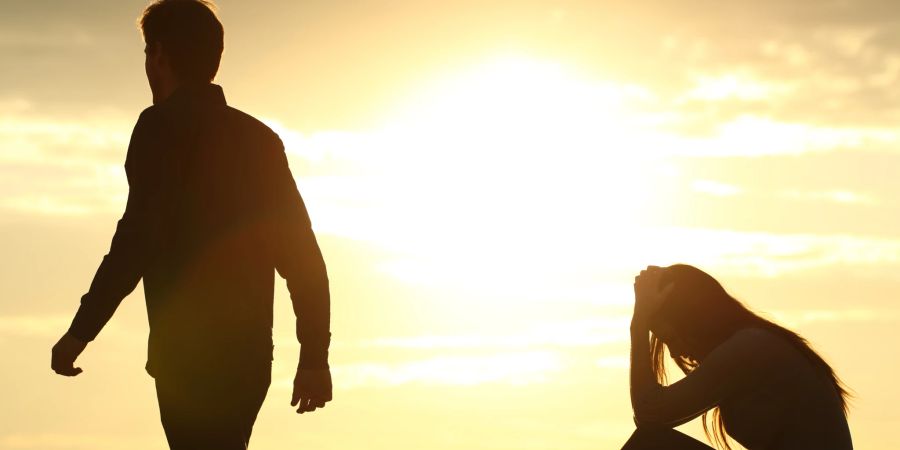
x=517 y=160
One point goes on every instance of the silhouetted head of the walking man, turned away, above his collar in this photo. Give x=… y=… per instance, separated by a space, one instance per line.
x=184 y=42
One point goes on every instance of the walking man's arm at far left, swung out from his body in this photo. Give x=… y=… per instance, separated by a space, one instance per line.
x=123 y=266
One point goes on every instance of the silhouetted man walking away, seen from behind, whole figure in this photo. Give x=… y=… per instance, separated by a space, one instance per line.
x=212 y=209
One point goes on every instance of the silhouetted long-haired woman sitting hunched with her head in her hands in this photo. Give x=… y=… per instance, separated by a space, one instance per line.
x=766 y=387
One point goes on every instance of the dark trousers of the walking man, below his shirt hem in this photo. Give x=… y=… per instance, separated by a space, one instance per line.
x=211 y=412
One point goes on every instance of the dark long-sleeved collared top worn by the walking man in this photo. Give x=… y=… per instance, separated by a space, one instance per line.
x=213 y=211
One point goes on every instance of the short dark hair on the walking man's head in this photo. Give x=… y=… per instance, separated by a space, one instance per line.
x=189 y=33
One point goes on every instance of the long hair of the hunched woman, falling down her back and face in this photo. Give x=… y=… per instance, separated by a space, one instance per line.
x=700 y=309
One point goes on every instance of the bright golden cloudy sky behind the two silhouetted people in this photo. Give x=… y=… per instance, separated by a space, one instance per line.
x=485 y=179
